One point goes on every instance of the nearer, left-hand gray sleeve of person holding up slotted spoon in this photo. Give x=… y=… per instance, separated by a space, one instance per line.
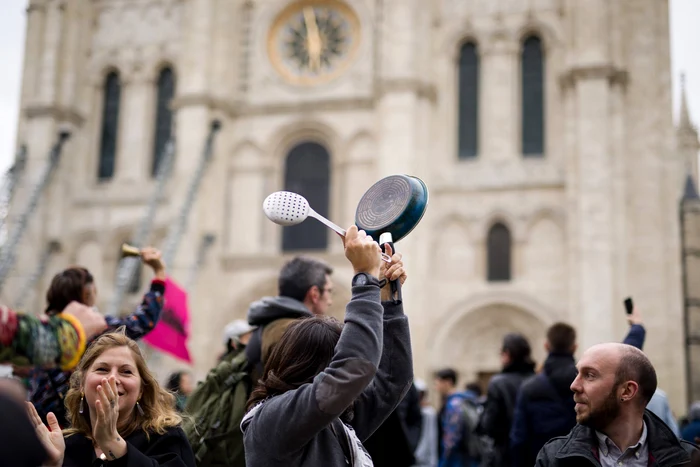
x=298 y=415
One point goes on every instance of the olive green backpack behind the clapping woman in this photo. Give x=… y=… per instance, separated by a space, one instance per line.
x=215 y=411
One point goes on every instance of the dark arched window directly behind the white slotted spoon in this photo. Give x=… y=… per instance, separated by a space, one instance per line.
x=307 y=172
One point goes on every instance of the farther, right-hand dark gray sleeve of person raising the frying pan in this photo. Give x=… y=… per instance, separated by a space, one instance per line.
x=393 y=378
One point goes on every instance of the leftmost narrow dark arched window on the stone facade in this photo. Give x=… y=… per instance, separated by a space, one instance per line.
x=110 y=127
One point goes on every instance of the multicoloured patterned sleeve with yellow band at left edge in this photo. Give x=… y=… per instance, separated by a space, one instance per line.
x=58 y=341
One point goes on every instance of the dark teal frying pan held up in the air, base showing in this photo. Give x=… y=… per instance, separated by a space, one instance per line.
x=391 y=209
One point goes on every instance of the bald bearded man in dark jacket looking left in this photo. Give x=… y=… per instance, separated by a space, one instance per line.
x=614 y=384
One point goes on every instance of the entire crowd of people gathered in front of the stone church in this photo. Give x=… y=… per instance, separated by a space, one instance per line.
x=295 y=387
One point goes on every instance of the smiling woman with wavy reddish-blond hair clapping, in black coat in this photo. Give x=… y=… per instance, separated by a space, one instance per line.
x=118 y=412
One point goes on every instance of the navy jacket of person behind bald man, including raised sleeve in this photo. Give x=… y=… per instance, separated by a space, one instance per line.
x=545 y=403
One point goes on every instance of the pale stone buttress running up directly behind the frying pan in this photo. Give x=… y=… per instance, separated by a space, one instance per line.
x=403 y=145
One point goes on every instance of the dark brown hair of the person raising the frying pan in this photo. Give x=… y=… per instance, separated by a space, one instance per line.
x=305 y=350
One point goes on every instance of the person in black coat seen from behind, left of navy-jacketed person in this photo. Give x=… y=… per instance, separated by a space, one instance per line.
x=497 y=417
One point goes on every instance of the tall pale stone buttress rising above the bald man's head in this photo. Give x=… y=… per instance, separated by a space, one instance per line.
x=588 y=85
